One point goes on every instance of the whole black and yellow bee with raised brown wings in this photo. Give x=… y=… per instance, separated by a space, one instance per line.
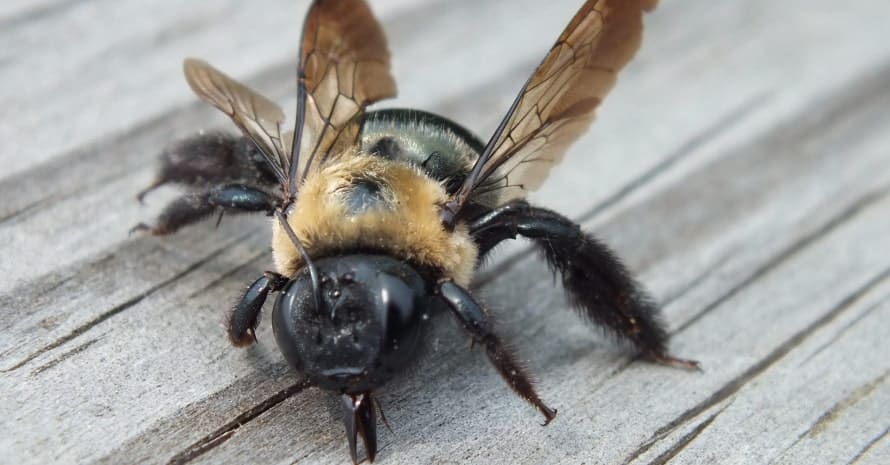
x=381 y=218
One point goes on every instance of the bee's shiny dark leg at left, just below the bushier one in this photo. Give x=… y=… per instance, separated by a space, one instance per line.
x=194 y=207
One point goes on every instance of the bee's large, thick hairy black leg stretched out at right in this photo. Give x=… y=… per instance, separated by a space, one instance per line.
x=596 y=280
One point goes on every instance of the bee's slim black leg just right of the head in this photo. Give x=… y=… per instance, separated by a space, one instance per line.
x=474 y=321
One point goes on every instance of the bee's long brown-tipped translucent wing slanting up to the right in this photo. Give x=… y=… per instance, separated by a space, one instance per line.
x=557 y=103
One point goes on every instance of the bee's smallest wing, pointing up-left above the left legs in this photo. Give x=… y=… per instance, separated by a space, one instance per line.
x=258 y=118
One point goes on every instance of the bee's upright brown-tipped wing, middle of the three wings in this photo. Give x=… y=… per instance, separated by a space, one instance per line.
x=344 y=66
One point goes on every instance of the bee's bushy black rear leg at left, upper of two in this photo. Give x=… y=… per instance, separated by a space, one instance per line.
x=211 y=159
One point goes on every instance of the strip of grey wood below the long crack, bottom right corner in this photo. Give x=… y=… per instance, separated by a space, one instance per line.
x=819 y=403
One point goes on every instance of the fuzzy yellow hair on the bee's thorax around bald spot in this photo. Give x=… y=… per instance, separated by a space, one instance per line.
x=410 y=230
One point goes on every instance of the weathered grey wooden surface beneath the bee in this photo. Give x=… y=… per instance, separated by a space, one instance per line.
x=741 y=167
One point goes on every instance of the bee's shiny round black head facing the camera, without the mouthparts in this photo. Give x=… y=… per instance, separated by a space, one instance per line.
x=368 y=328
